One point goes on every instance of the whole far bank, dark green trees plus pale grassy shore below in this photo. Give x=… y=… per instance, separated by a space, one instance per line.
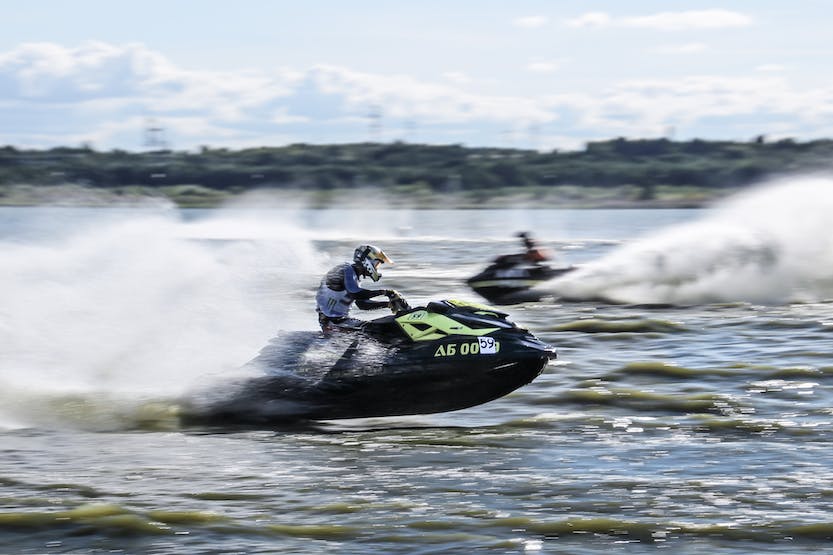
x=619 y=172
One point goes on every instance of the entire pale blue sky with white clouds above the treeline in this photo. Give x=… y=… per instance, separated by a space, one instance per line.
x=540 y=74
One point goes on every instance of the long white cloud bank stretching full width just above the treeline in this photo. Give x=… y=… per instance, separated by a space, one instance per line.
x=105 y=94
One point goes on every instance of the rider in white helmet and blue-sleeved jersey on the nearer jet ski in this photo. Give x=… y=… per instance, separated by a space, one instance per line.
x=340 y=288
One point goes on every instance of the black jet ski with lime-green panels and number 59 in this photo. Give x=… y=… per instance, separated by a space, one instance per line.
x=445 y=356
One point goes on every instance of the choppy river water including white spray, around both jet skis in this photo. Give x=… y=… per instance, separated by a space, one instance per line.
x=689 y=409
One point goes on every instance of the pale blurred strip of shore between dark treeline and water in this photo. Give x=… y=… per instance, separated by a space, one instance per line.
x=195 y=196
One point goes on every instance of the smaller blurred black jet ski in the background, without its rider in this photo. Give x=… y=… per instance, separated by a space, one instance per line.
x=511 y=279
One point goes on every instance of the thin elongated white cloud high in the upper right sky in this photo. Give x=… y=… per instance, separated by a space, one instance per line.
x=666 y=21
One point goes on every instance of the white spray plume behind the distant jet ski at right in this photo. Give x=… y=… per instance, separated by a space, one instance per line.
x=770 y=245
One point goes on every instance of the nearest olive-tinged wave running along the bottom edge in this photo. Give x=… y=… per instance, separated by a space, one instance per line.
x=108 y=521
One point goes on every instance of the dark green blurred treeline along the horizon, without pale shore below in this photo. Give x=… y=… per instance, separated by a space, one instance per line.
x=646 y=164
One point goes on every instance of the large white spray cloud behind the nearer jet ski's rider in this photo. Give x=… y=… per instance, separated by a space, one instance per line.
x=138 y=309
